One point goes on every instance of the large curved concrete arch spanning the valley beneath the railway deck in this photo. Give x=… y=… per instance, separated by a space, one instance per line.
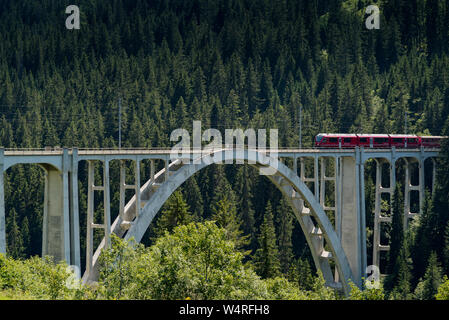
x=318 y=230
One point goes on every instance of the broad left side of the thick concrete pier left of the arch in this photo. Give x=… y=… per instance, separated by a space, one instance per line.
x=56 y=224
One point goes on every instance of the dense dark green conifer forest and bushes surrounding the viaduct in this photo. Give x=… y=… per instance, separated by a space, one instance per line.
x=229 y=64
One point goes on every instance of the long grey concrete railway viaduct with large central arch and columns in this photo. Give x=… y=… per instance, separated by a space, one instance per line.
x=329 y=204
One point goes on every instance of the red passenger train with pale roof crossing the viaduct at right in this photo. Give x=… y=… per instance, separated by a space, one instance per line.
x=341 y=140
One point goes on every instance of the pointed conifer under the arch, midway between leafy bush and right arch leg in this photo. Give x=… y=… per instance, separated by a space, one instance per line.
x=266 y=259
